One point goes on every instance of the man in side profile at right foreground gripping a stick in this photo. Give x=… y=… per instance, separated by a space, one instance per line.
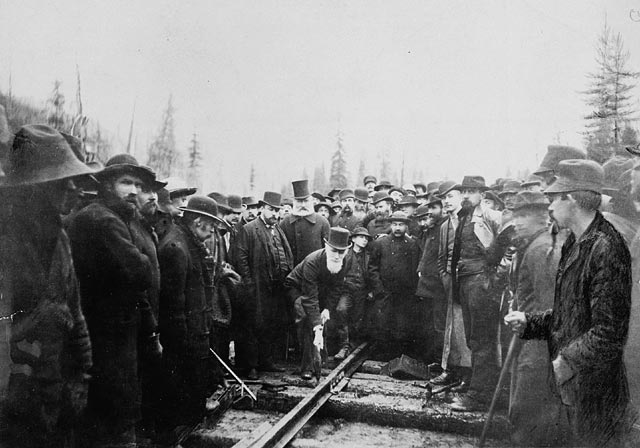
x=587 y=327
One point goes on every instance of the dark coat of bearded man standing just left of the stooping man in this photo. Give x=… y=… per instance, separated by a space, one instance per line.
x=255 y=266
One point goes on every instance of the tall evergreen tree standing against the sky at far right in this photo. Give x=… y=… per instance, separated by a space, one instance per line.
x=609 y=97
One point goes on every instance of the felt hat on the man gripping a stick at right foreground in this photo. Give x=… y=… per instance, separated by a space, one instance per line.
x=577 y=175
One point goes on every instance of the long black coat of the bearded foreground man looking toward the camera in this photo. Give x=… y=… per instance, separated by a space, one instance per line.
x=114 y=278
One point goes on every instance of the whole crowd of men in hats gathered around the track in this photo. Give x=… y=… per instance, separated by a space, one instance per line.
x=121 y=291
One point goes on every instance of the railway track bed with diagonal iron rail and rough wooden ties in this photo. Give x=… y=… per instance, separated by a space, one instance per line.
x=347 y=408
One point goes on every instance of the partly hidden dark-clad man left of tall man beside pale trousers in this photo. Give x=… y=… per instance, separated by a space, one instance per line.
x=430 y=287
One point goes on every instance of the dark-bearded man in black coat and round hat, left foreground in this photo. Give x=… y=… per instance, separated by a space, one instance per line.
x=115 y=276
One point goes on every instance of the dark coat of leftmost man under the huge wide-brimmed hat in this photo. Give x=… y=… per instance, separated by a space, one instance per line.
x=49 y=344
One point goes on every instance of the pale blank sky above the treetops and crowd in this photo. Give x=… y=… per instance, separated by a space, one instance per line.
x=457 y=87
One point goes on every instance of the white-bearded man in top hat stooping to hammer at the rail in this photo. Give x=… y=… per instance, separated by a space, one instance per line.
x=323 y=281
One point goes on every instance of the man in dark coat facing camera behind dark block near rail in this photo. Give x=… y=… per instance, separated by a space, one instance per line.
x=393 y=268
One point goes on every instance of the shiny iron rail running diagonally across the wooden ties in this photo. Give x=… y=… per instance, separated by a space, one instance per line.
x=278 y=435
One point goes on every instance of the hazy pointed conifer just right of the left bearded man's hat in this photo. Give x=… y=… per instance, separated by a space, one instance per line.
x=163 y=157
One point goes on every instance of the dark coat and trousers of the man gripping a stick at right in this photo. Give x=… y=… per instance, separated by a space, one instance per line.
x=588 y=327
